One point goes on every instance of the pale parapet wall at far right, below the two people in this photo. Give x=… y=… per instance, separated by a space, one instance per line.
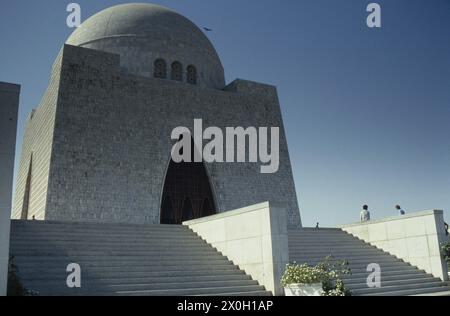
x=416 y=238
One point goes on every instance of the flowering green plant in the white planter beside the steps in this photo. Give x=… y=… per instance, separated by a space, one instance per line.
x=328 y=272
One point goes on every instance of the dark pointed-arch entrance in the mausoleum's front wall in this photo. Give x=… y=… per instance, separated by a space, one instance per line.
x=187 y=193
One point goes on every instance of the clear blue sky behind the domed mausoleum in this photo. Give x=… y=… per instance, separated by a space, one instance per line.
x=367 y=112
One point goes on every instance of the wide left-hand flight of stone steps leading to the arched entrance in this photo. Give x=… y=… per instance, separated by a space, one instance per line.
x=124 y=260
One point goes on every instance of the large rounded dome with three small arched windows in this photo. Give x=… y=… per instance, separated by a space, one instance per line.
x=143 y=34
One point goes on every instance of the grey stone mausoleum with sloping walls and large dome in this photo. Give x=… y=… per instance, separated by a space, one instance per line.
x=98 y=147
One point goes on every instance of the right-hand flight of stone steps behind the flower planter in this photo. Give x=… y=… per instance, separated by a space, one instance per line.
x=397 y=277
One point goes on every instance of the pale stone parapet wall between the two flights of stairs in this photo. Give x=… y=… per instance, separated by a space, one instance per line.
x=254 y=238
